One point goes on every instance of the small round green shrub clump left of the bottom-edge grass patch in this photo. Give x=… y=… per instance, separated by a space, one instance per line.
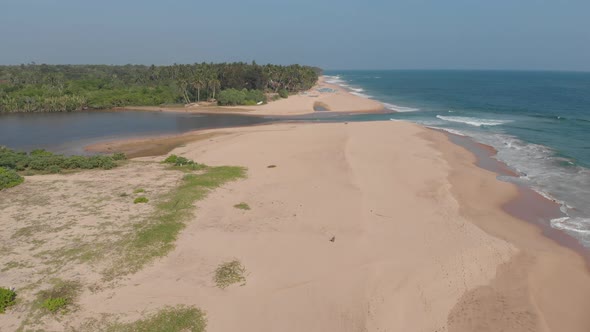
x=60 y=297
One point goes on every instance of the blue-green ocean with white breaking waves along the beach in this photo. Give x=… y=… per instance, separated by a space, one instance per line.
x=539 y=122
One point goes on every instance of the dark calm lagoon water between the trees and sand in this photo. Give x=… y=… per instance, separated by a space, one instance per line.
x=69 y=132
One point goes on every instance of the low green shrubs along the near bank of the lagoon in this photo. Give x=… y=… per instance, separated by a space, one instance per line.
x=47 y=162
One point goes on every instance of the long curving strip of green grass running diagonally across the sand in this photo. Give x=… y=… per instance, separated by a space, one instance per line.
x=155 y=237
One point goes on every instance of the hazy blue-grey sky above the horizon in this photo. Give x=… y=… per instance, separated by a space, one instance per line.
x=345 y=34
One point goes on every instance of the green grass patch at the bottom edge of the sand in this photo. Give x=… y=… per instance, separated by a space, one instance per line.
x=169 y=319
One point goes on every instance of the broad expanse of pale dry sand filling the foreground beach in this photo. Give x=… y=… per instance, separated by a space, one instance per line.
x=421 y=241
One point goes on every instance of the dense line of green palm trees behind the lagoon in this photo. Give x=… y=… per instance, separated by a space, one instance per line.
x=64 y=88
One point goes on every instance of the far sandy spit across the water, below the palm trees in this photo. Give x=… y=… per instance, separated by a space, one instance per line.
x=323 y=96
